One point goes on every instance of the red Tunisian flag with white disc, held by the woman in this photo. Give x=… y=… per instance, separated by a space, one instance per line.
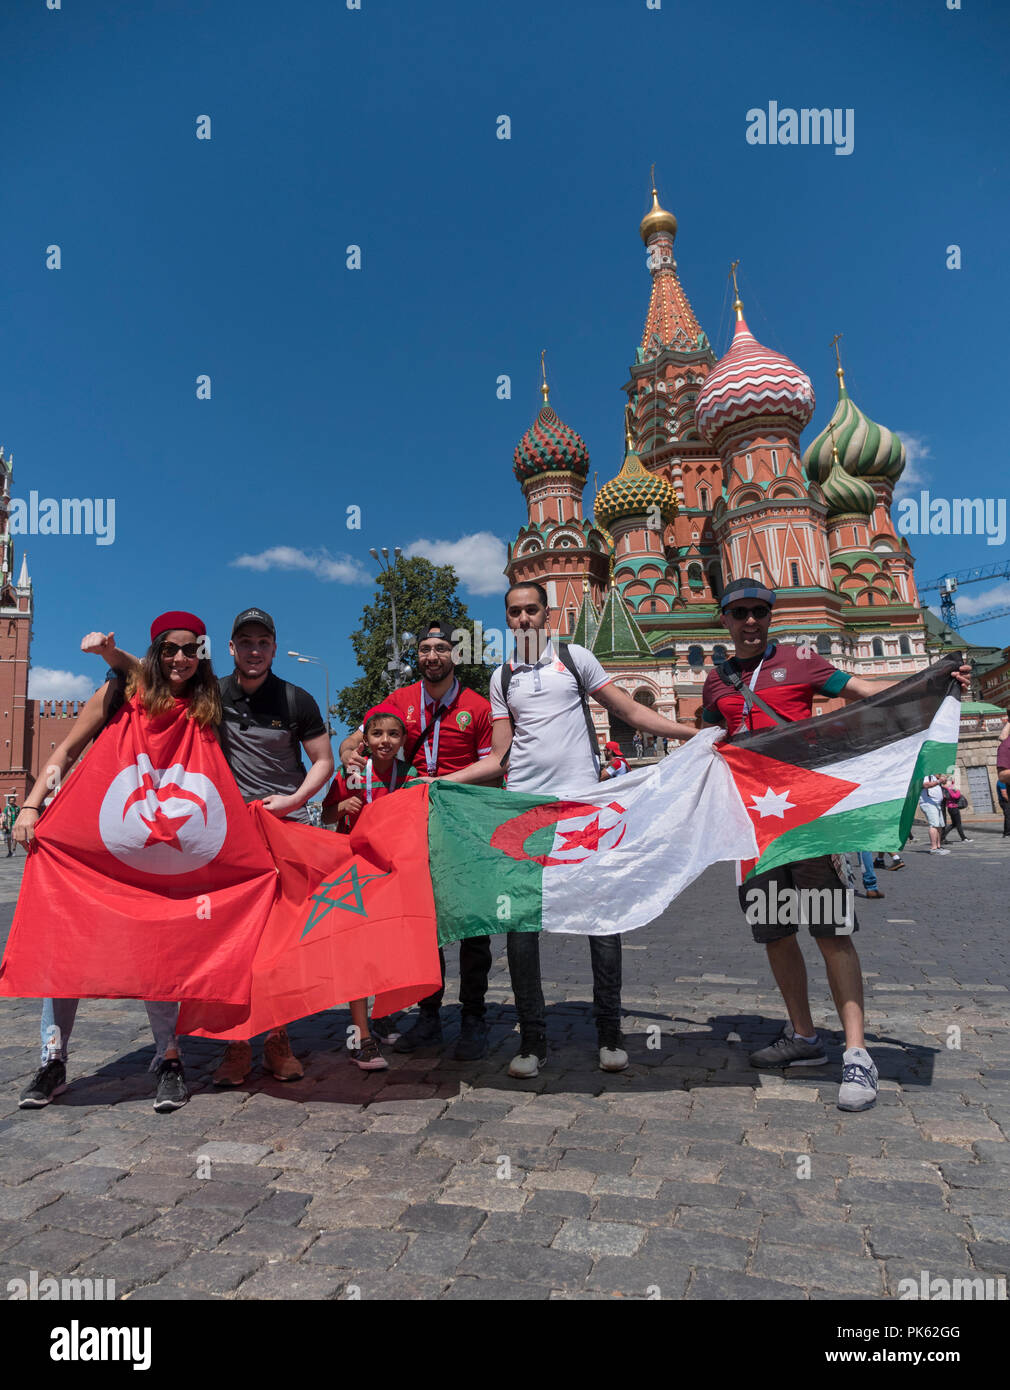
x=148 y=879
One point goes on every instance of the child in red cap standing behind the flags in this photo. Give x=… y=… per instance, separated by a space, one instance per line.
x=384 y=774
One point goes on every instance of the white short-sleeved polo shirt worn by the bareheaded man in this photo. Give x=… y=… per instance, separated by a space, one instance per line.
x=551 y=751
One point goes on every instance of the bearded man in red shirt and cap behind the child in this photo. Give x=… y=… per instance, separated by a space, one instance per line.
x=448 y=729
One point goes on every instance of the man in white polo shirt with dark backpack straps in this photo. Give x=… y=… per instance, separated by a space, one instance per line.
x=544 y=715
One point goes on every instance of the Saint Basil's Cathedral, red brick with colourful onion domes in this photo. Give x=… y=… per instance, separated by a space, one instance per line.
x=713 y=489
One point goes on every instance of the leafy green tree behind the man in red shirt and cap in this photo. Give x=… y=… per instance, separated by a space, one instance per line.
x=423 y=593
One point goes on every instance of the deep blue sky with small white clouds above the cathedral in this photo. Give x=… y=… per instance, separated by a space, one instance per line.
x=377 y=387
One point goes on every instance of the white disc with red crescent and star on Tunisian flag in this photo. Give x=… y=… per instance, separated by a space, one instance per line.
x=163 y=821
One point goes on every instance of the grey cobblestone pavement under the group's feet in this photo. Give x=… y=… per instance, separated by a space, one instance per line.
x=680 y=1178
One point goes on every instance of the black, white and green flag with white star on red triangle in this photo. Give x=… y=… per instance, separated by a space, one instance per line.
x=859 y=771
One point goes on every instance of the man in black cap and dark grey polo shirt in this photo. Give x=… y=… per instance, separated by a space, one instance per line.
x=267 y=722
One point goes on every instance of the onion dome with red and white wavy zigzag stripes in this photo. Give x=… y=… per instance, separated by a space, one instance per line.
x=752 y=382
